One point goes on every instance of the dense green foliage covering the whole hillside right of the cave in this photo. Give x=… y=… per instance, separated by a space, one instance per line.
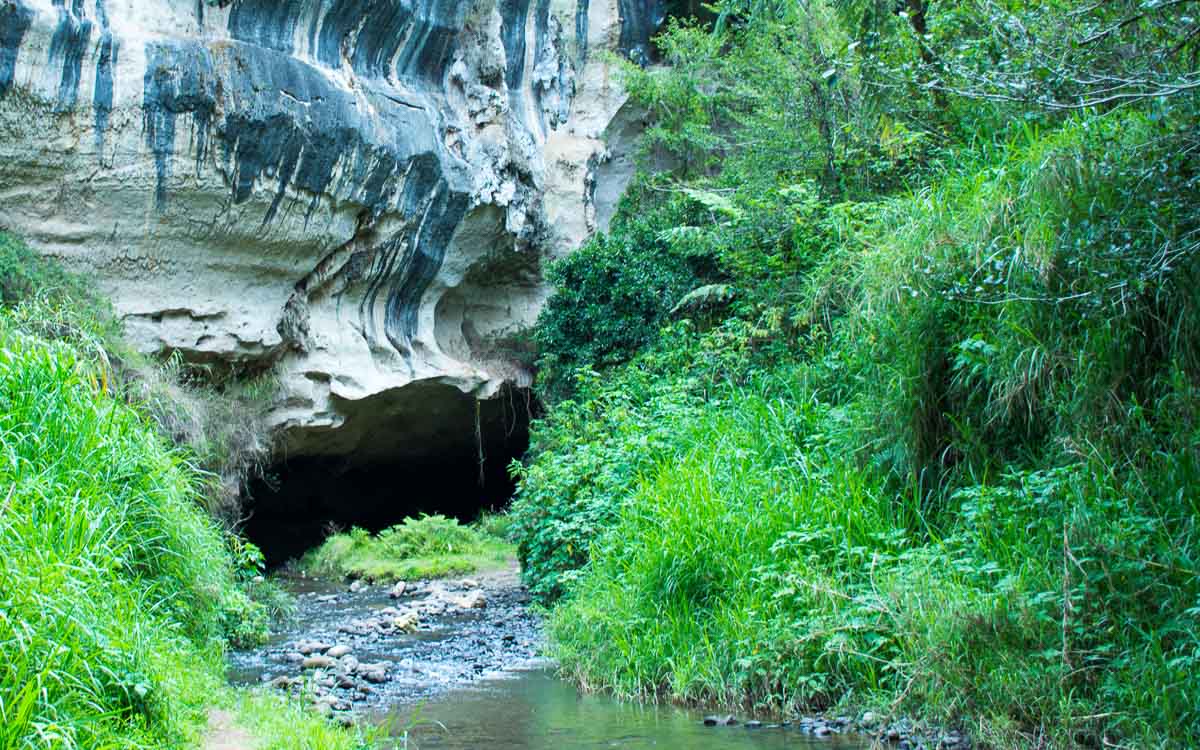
x=941 y=455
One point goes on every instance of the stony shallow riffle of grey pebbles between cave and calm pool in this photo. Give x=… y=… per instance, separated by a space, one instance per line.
x=361 y=649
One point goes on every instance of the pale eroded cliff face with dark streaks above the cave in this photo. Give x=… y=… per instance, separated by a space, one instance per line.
x=359 y=194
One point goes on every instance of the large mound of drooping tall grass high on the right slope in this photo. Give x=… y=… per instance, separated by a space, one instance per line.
x=1034 y=298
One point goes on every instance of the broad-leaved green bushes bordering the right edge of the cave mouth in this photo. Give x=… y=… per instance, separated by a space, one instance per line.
x=592 y=451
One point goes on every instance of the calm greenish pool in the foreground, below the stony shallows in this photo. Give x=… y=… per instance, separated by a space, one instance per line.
x=535 y=711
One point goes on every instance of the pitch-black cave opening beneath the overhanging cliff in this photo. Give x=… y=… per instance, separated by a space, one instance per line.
x=449 y=455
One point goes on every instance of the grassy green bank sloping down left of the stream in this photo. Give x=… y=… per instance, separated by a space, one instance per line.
x=118 y=592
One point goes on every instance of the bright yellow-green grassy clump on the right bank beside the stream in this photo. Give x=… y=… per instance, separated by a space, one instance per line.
x=691 y=593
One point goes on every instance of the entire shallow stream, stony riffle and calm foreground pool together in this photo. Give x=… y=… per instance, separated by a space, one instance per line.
x=469 y=676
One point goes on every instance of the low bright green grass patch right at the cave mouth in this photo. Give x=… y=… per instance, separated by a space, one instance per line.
x=427 y=548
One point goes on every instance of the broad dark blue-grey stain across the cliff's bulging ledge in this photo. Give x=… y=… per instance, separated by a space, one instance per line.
x=285 y=121
